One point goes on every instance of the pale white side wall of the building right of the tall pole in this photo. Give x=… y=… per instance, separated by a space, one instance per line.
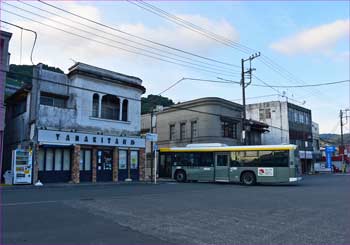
x=278 y=123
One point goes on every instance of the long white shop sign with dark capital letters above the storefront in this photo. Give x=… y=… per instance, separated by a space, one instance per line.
x=61 y=137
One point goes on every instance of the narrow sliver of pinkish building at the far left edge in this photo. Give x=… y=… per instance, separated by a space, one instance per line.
x=4 y=64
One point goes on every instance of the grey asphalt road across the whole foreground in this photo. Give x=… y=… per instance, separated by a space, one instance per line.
x=316 y=211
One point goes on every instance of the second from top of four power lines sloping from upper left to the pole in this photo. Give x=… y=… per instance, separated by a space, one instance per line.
x=119 y=36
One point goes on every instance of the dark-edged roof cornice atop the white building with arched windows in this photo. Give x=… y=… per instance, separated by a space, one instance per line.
x=102 y=74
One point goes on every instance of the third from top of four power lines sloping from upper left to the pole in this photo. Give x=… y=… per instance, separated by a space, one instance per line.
x=122 y=43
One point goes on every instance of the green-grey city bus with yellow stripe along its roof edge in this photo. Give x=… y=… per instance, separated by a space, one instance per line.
x=221 y=163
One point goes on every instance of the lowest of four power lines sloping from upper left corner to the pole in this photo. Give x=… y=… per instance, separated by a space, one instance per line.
x=113 y=46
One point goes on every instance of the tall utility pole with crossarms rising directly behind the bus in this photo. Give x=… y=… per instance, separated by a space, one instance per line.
x=244 y=85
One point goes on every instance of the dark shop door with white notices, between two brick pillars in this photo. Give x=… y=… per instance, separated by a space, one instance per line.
x=104 y=171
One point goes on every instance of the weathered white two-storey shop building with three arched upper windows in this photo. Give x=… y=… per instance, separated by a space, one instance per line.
x=83 y=126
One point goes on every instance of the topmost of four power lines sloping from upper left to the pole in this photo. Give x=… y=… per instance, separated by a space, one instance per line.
x=138 y=37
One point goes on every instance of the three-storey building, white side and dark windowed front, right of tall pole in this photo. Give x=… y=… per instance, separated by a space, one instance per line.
x=288 y=124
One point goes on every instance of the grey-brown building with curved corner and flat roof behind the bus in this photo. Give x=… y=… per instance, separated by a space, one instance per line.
x=204 y=120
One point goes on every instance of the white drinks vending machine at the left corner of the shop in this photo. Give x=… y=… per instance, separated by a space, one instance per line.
x=22 y=166
